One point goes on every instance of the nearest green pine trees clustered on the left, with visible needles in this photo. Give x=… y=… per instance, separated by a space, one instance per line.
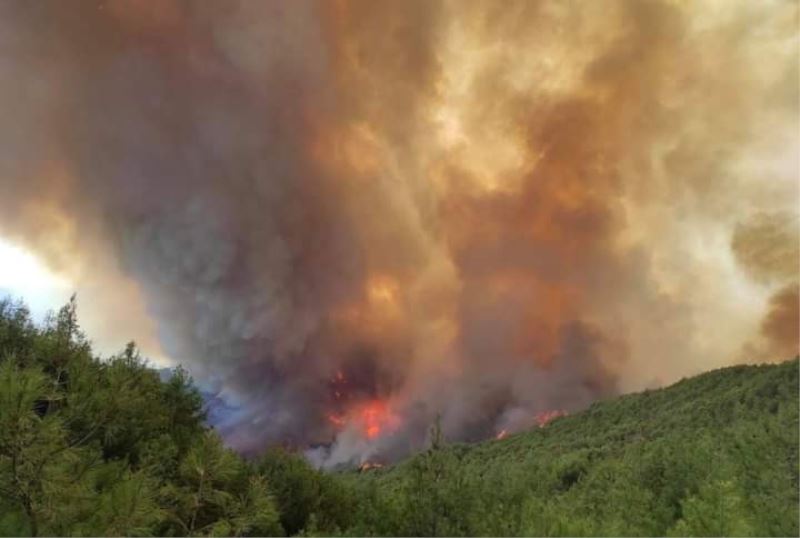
x=103 y=447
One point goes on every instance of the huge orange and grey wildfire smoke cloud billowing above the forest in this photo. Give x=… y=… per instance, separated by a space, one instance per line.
x=354 y=216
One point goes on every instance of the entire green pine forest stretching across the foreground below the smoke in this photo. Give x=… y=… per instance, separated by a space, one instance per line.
x=104 y=447
